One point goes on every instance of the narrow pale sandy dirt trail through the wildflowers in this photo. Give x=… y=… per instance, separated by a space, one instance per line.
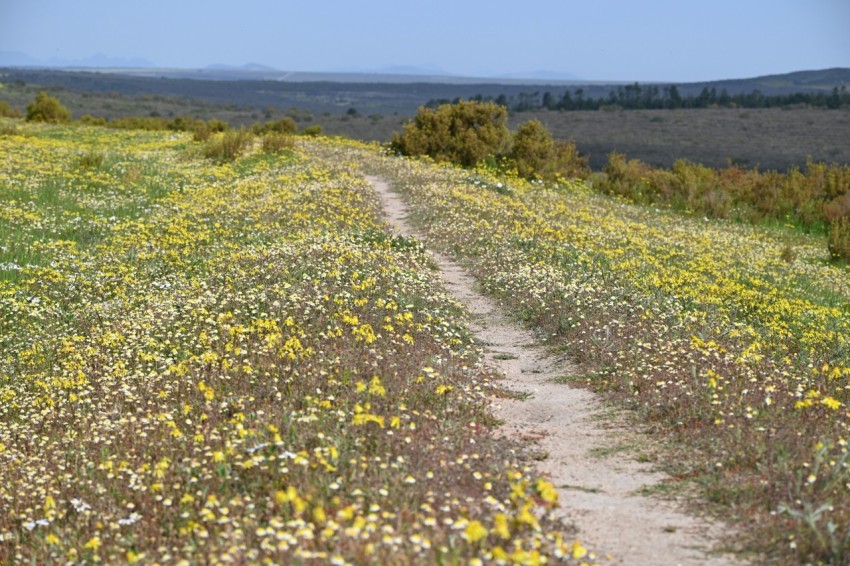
x=581 y=453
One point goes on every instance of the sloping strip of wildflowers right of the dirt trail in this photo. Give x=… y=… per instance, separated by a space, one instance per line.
x=732 y=340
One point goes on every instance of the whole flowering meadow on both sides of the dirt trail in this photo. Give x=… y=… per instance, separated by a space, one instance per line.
x=239 y=360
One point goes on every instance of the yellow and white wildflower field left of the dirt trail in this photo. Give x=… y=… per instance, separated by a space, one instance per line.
x=238 y=362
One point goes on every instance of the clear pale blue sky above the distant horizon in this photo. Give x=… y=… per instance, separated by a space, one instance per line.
x=648 y=40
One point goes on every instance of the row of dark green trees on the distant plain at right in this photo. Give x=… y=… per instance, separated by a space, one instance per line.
x=654 y=97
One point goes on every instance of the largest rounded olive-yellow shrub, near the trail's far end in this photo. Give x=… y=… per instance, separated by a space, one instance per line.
x=465 y=133
